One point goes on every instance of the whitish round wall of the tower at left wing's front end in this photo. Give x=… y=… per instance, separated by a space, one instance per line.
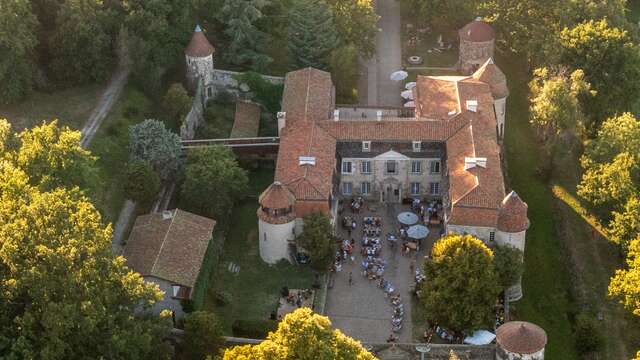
x=274 y=240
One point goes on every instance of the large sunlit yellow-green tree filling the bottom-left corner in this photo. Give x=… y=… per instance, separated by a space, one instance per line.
x=63 y=293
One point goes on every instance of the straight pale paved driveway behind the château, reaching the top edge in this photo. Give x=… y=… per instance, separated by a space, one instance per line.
x=381 y=90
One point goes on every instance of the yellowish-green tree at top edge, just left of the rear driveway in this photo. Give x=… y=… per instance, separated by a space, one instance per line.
x=355 y=22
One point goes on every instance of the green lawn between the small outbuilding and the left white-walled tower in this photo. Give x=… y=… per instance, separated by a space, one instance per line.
x=255 y=289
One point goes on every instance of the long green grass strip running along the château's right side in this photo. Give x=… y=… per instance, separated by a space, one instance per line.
x=547 y=299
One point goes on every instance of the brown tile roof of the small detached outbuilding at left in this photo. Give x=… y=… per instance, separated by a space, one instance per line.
x=170 y=249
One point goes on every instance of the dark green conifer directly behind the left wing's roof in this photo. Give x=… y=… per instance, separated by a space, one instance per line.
x=312 y=34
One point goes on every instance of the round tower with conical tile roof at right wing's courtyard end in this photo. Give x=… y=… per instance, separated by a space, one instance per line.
x=512 y=229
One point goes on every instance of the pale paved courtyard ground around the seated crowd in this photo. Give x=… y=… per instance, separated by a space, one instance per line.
x=362 y=310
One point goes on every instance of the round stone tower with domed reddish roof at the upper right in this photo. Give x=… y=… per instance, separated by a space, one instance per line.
x=477 y=45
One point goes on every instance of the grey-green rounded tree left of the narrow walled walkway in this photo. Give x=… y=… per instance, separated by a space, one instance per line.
x=151 y=141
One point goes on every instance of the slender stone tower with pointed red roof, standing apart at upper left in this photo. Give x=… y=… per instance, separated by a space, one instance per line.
x=199 y=58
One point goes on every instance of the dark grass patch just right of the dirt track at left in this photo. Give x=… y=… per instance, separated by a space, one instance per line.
x=111 y=147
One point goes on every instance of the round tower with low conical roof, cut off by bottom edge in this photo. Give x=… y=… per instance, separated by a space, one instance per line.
x=519 y=340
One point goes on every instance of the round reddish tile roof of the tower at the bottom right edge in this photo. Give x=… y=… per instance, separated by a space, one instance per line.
x=521 y=337
